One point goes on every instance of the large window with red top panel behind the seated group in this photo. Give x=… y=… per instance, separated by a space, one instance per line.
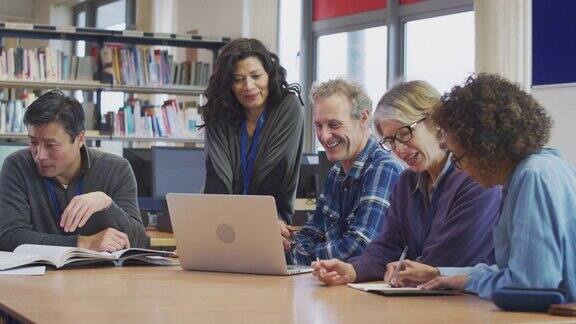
x=377 y=42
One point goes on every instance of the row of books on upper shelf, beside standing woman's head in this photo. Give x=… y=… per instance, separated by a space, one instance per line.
x=150 y=67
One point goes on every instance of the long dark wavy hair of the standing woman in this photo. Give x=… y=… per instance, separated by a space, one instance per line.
x=222 y=106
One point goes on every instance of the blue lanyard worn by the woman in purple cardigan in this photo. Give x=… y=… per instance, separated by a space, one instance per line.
x=423 y=225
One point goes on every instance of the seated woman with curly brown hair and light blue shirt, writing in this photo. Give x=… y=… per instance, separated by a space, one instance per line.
x=496 y=133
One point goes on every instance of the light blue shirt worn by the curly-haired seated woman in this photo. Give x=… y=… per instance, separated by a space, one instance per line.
x=535 y=238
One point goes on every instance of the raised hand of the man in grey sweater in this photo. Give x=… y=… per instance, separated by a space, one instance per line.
x=81 y=208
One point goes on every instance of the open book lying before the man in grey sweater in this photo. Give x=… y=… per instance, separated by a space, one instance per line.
x=60 y=256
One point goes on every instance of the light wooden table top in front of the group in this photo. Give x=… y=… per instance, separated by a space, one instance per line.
x=171 y=295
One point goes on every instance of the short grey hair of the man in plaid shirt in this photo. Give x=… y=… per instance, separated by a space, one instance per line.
x=356 y=95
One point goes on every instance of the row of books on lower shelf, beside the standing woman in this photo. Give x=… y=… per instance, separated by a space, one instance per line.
x=171 y=120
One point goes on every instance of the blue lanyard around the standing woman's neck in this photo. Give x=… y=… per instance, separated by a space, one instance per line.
x=249 y=157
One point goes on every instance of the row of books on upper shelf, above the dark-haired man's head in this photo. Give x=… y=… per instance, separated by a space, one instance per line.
x=44 y=64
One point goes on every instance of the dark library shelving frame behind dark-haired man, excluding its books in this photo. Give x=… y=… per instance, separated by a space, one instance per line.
x=101 y=37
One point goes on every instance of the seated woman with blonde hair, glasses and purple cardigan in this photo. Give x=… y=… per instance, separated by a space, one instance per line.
x=436 y=210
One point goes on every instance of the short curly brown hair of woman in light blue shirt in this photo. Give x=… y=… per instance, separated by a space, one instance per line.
x=493 y=120
